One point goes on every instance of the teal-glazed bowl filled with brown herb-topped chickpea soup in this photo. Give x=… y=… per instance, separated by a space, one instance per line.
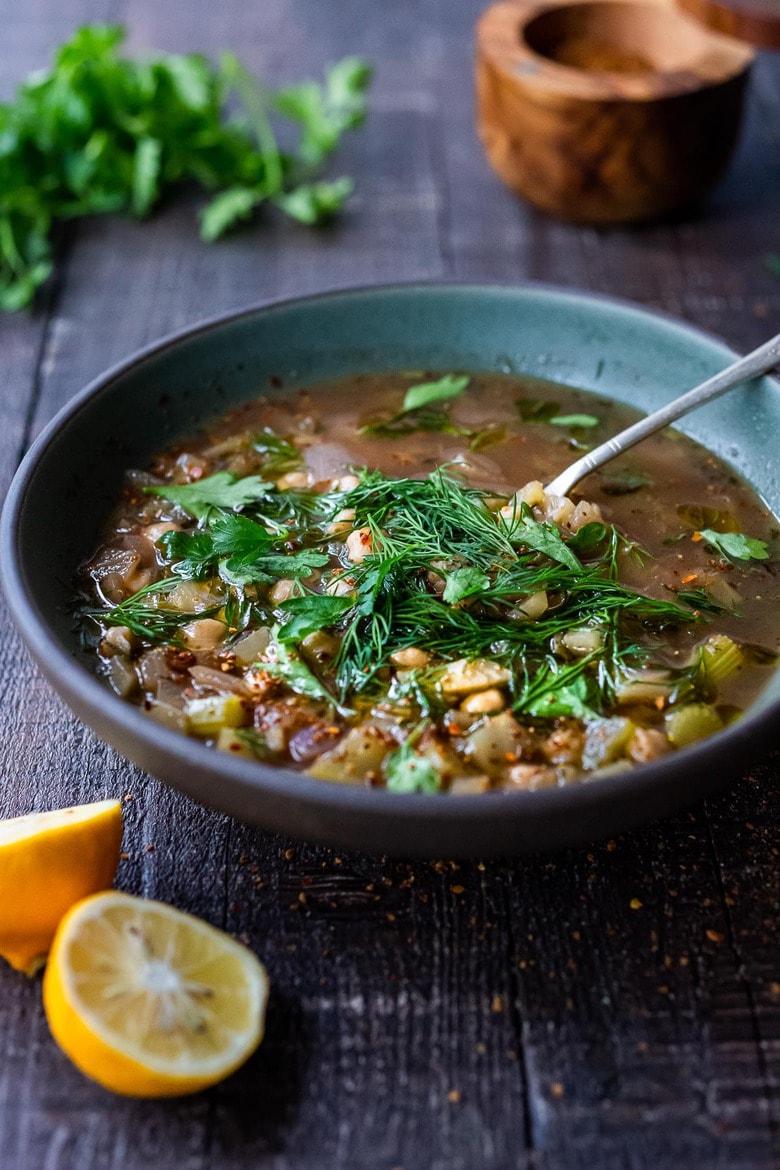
x=300 y=563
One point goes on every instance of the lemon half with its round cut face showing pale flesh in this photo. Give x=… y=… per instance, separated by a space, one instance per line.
x=149 y=1001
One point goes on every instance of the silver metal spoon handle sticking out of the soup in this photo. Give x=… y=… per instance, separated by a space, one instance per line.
x=754 y=364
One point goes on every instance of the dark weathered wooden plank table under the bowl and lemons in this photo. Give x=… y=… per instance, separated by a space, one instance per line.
x=616 y=1007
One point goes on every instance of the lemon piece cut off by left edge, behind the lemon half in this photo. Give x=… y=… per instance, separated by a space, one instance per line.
x=49 y=862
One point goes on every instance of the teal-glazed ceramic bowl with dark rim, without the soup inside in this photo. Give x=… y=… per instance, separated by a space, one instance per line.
x=60 y=500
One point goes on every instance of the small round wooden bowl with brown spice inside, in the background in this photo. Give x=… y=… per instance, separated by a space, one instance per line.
x=605 y=112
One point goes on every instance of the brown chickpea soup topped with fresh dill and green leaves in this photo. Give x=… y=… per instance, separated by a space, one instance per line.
x=367 y=582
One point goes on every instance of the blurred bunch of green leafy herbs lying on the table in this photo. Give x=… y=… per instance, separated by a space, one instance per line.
x=102 y=134
